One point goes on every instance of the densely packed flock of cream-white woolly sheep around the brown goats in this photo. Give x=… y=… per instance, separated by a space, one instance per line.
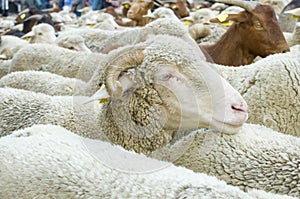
x=108 y=111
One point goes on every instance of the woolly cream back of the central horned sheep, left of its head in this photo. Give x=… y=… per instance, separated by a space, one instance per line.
x=20 y=109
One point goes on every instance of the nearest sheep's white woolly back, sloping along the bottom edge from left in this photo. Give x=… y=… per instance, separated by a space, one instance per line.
x=50 y=161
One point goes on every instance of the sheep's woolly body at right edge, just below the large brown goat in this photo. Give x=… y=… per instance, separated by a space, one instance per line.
x=271 y=89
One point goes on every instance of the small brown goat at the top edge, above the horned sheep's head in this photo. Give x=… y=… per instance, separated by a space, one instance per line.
x=138 y=9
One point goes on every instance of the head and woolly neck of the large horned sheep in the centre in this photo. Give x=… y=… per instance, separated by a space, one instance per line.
x=157 y=90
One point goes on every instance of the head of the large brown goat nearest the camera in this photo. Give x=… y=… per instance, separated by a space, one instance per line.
x=258 y=28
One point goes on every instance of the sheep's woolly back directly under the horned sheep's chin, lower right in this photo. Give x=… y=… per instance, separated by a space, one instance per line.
x=255 y=158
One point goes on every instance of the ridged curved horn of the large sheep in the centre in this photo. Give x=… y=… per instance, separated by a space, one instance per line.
x=129 y=59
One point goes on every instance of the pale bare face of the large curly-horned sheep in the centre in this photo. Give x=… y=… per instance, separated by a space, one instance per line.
x=191 y=101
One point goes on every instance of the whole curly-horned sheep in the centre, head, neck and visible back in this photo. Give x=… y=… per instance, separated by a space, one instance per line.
x=160 y=93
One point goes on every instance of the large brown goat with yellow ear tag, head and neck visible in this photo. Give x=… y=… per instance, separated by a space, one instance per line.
x=255 y=32
